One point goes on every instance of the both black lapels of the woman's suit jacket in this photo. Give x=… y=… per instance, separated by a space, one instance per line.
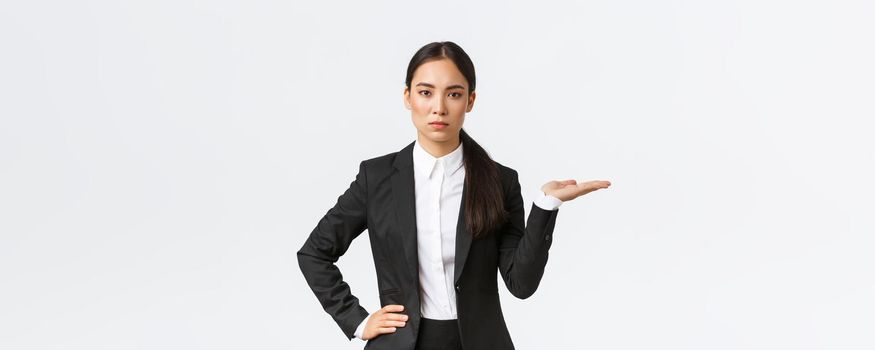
x=404 y=192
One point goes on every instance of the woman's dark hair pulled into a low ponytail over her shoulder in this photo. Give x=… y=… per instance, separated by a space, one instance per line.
x=484 y=202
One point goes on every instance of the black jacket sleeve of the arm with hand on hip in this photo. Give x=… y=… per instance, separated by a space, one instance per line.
x=327 y=242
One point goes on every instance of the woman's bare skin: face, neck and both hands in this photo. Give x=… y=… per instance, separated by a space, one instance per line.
x=440 y=93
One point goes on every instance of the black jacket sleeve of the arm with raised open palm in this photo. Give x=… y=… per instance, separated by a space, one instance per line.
x=523 y=249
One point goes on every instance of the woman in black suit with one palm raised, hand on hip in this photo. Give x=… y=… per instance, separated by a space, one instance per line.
x=443 y=220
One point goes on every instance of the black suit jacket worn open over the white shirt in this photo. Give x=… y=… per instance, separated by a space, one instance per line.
x=381 y=200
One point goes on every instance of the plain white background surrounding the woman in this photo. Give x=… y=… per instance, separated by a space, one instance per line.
x=162 y=161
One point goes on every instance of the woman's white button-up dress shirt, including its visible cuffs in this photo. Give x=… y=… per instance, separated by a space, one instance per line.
x=438 y=184
